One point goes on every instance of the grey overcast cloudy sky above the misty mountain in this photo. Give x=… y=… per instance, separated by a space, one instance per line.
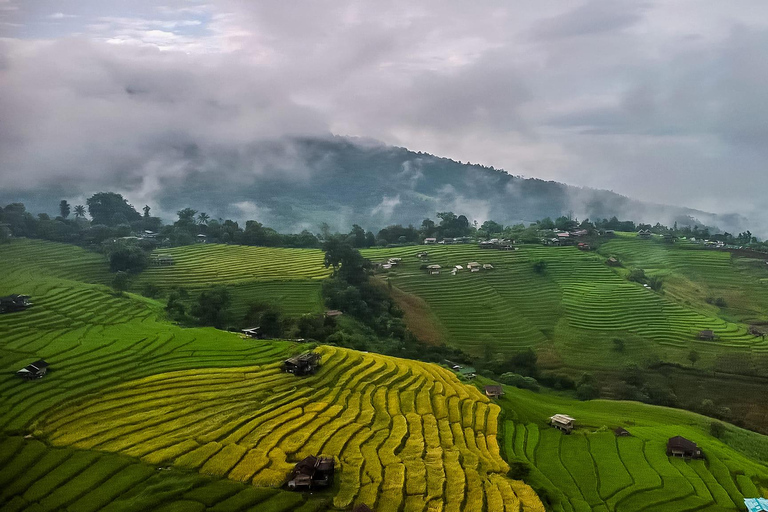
x=664 y=101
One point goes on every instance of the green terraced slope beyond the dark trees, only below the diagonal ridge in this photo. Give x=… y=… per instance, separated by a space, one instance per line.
x=578 y=304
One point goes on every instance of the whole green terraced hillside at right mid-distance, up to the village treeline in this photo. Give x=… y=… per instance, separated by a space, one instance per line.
x=575 y=308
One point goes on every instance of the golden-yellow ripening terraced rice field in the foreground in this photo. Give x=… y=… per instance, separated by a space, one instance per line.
x=408 y=435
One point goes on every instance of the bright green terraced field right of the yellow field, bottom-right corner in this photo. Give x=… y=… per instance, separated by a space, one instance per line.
x=592 y=469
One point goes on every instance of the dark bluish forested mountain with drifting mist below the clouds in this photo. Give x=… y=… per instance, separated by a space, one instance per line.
x=294 y=184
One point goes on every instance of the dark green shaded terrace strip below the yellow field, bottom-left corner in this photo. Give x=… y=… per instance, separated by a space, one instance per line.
x=37 y=477
